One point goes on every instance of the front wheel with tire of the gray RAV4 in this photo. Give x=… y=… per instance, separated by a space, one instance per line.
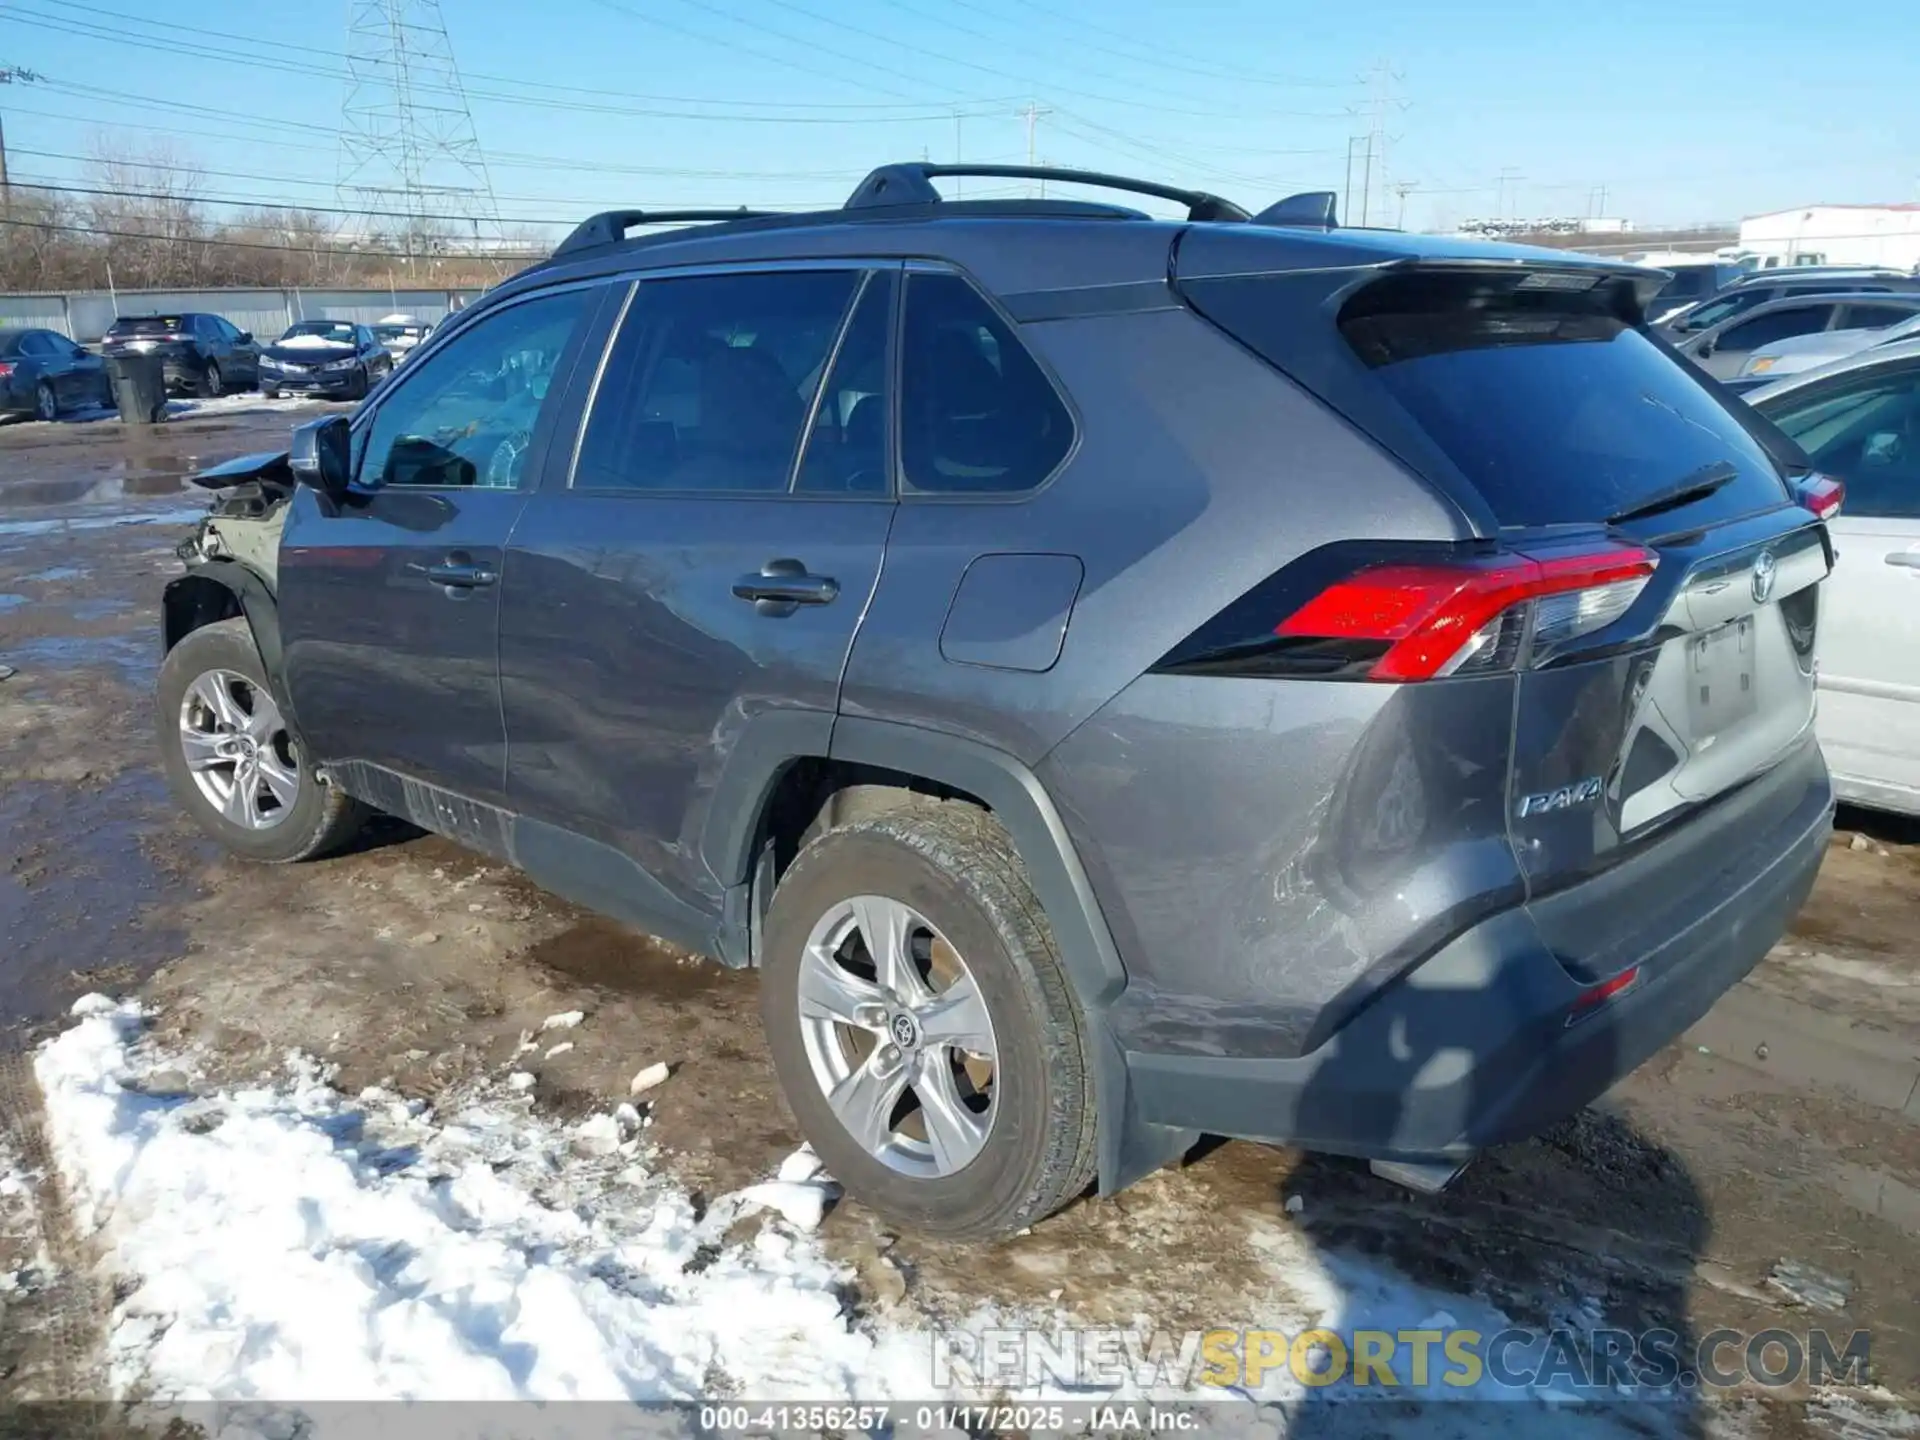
x=233 y=761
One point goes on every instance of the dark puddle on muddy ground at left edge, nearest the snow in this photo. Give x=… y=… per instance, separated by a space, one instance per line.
x=74 y=894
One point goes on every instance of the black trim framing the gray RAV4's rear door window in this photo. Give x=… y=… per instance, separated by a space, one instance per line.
x=865 y=270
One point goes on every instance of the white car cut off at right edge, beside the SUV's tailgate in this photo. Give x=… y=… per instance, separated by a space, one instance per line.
x=1860 y=421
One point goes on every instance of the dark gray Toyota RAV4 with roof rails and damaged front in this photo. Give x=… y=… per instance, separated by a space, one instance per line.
x=1118 y=679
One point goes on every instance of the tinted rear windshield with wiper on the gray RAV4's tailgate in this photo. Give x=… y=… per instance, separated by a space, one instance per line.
x=1552 y=406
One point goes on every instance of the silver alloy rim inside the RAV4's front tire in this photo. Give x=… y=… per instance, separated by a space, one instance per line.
x=239 y=750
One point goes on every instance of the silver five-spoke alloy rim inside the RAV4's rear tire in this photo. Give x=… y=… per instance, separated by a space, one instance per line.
x=898 y=1036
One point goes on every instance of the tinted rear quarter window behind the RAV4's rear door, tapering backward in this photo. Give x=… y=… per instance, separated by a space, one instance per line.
x=978 y=416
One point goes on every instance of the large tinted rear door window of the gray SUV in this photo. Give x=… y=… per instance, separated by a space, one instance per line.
x=709 y=383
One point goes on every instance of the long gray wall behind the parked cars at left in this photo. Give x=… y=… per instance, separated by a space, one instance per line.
x=87 y=314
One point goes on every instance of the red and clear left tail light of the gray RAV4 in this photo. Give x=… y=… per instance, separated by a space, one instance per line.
x=1439 y=619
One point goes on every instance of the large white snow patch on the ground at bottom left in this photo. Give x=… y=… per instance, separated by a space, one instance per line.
x=287 y=1241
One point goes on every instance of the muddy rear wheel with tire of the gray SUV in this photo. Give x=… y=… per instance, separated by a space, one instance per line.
x=924 y=1028
